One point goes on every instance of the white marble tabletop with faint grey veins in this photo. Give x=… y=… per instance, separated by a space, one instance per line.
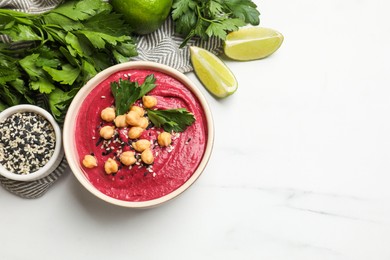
x=300 y=167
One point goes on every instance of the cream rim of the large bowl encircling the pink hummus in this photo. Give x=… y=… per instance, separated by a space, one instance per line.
x=70 y=122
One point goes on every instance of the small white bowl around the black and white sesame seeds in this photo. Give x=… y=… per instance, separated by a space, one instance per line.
x=58 y=153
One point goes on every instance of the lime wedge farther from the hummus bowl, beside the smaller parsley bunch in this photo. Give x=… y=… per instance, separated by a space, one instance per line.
x=252 y=43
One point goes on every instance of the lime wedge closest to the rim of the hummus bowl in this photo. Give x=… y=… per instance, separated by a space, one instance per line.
x=213 y=73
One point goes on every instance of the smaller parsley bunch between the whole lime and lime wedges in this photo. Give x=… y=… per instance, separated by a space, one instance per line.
x=208 y=18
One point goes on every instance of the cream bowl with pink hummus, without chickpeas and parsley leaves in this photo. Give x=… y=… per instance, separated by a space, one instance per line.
x=140 y=185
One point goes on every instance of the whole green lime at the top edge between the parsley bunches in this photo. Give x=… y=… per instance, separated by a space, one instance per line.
x=144 y=16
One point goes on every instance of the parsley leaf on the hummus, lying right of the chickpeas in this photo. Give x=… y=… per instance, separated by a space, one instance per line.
x=176 y=120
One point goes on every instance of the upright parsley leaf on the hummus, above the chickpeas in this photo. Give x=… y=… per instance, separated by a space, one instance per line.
x=126 y=92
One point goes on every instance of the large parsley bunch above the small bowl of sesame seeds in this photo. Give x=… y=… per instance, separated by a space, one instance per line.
x=52 y=55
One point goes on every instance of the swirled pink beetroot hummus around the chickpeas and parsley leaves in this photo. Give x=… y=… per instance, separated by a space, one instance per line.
x=173 y=165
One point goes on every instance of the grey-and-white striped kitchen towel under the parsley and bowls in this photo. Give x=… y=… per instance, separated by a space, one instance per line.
x=161 y=46
